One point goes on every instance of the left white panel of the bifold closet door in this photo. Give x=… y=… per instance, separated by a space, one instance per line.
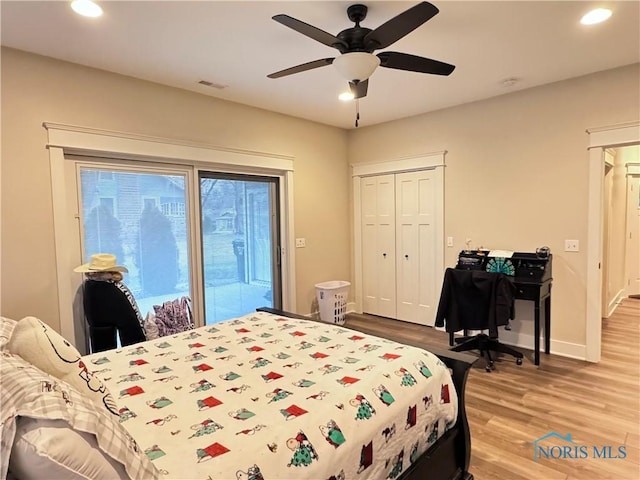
x=378 y=245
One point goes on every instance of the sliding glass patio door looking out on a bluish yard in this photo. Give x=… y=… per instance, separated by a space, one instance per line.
x=214 y=237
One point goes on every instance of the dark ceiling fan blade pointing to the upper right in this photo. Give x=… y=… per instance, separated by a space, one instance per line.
x=400 y=25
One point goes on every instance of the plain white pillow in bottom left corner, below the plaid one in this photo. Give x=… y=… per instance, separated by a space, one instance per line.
x=45 y=448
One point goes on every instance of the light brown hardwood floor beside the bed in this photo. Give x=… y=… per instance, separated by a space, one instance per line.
x=511 y=407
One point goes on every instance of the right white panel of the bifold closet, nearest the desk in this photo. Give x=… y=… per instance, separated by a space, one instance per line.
x=415 y=246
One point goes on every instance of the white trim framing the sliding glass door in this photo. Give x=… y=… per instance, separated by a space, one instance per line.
x=70 y=139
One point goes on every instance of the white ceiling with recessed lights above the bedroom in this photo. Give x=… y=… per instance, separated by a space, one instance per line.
x=237 y=44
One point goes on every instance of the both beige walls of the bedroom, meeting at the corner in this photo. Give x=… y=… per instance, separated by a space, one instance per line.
x=516 y=175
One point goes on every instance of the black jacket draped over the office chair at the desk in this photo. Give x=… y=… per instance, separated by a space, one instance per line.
x=475 y=300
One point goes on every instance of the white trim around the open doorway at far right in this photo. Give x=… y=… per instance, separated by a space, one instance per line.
x=599 y=139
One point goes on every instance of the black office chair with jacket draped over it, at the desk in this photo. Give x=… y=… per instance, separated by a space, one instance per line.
x=477 y=300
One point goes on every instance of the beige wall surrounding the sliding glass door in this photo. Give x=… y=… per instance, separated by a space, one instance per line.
x=37 y=89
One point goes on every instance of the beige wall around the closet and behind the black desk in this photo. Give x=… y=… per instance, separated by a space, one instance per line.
x=516 y=175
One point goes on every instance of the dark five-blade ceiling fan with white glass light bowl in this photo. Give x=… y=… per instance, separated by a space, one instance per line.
x=356 y=45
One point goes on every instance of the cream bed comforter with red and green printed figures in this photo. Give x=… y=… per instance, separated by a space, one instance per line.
x=267 y=397
